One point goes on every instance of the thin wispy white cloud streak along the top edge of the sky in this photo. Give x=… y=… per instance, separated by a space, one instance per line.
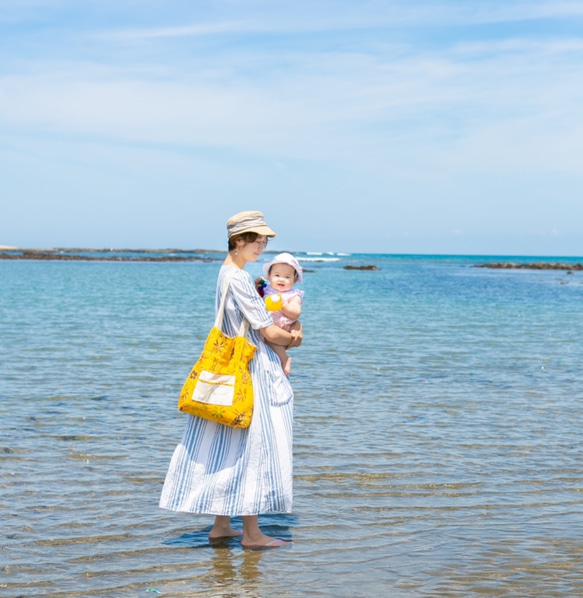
x=275 y=18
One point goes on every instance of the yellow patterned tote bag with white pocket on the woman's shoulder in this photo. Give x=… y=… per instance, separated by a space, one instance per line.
x=219 y=387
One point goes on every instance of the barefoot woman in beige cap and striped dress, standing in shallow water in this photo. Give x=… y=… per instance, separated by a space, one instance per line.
x=226 y=471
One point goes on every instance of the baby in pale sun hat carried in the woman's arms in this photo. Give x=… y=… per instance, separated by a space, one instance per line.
x=282 y=272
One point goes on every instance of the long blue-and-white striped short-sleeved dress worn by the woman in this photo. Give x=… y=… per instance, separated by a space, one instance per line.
x=220 y=470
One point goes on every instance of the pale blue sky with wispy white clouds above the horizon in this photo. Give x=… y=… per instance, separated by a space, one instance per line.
x=405 y=126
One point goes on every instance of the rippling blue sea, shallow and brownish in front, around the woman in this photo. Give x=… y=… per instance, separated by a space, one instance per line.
x=438 y=445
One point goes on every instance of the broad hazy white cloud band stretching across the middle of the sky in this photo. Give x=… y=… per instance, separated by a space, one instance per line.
x=513 y=103
